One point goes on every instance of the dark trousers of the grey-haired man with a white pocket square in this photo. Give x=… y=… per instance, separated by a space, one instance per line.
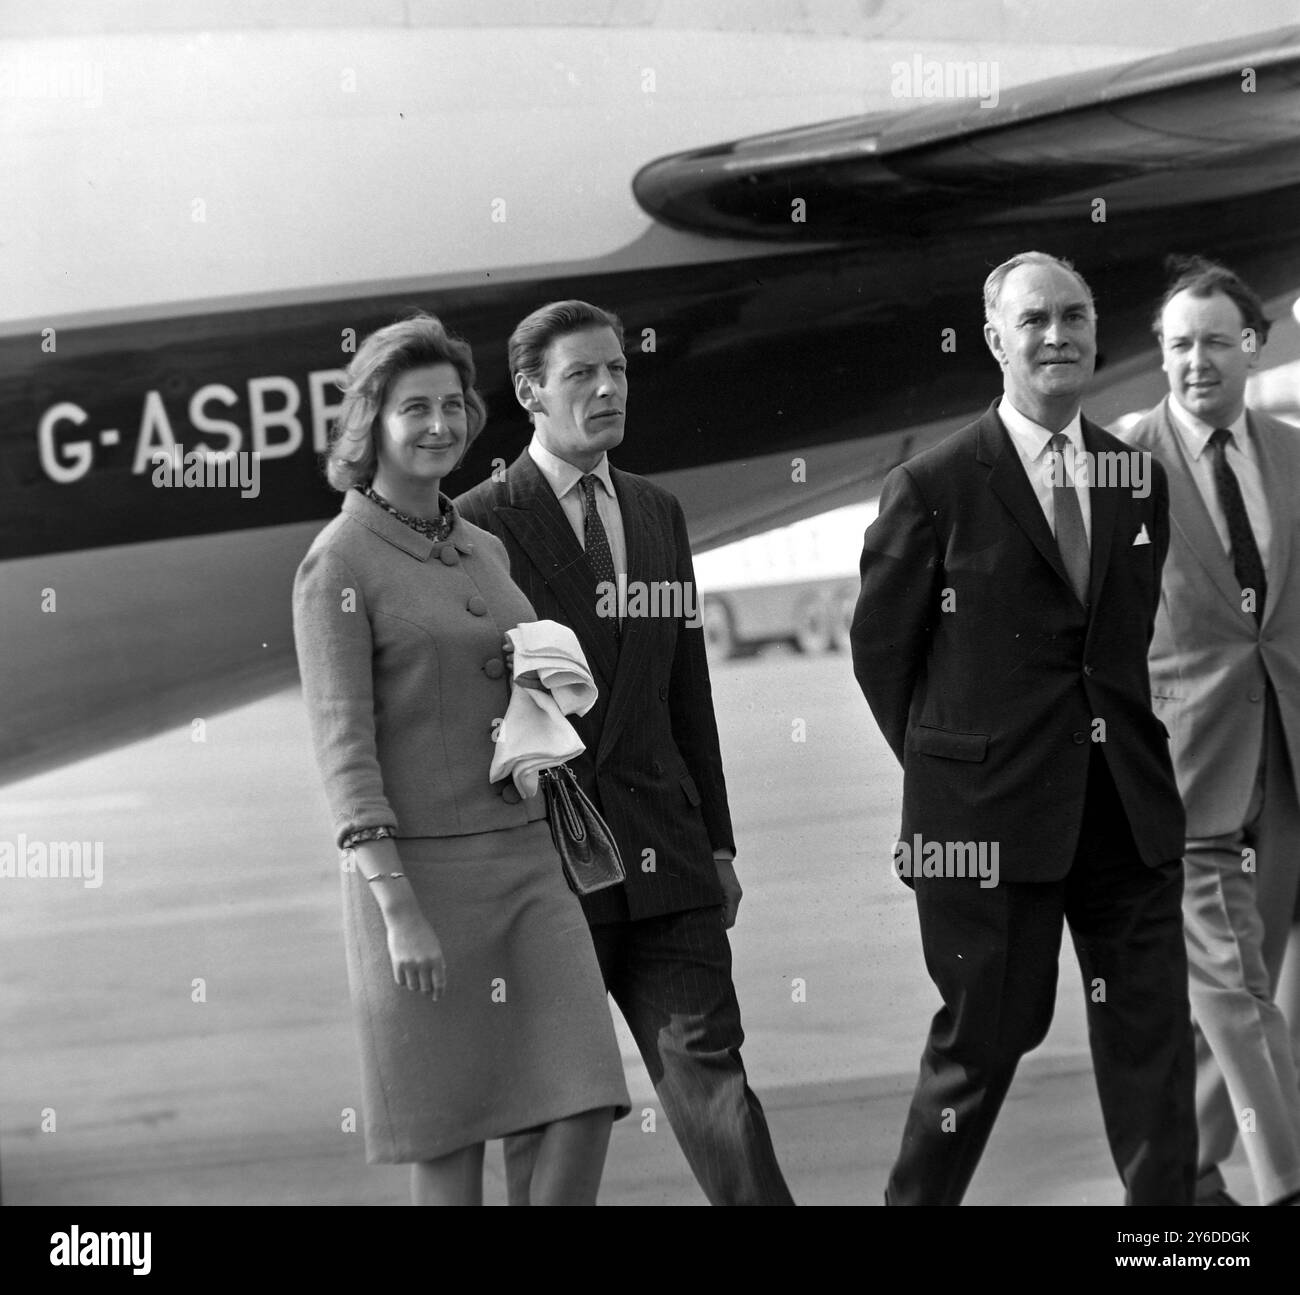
x=993 y=954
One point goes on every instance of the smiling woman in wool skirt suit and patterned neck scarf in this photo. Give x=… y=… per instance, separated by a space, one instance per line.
x=479 y=1001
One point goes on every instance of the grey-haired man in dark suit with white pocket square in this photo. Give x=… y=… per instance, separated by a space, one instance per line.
x=1009 y=590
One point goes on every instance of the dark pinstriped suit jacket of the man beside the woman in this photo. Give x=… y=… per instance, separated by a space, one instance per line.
x=652 y=764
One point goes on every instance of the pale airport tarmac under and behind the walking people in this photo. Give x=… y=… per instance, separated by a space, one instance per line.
x=181 y=1034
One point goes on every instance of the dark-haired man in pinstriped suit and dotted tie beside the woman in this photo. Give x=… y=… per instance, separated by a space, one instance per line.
x=606 y=553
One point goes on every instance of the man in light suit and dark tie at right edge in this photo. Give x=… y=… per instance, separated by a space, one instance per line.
x=1225 y=677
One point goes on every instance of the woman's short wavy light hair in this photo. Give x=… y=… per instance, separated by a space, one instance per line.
x=387 y=354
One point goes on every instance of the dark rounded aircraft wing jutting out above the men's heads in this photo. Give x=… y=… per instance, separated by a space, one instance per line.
x=1219 y=122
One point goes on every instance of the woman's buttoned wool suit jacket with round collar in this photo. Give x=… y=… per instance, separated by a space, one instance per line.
x=400 y=651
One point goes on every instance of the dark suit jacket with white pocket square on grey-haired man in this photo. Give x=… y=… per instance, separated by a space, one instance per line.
x=986 y=673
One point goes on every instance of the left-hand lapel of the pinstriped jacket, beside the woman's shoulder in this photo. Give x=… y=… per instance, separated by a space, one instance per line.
x=538 y=522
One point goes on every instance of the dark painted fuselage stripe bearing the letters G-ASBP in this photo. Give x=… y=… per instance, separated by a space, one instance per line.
x=729 y=361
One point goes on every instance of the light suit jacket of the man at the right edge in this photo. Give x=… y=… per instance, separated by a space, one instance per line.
x=1210 y=661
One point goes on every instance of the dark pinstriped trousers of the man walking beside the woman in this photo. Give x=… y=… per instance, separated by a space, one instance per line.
x=671 y=978
